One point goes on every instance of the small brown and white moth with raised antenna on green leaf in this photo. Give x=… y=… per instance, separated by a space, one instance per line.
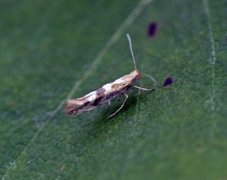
x=106 y=93
